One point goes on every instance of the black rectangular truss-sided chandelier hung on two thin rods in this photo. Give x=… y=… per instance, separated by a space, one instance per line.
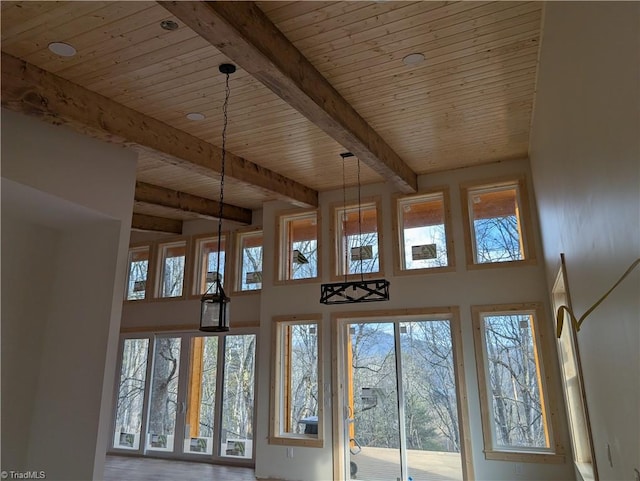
x=362 y=290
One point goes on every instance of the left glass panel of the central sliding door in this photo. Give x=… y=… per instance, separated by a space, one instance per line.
x=372 y=403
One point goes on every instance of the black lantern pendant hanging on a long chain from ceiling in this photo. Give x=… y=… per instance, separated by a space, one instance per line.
x=214 y=304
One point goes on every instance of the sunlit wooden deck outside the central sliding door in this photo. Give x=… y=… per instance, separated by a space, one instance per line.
x=382 y=464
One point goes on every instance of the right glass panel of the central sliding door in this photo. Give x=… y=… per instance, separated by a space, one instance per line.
x=430 y=401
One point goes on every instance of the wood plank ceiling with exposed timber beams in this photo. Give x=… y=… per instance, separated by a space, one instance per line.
x=314 y=79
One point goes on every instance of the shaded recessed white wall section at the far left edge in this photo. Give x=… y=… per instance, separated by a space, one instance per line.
x=32 y=247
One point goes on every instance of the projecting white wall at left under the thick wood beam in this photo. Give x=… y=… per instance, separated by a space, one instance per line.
x=83 y=189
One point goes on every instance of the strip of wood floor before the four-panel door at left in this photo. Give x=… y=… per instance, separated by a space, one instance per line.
x=126 y=468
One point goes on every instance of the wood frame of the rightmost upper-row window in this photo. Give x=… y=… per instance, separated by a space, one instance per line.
x=525 y=221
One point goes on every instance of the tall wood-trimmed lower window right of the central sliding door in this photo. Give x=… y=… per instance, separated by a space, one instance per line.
x=515 y=407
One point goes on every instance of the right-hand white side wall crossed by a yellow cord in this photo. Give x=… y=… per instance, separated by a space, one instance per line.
x=585 y=156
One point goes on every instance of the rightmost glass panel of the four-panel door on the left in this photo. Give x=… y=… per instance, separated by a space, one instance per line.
x=236 y=437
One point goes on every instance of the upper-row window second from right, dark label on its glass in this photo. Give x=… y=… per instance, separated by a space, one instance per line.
x=422 y=232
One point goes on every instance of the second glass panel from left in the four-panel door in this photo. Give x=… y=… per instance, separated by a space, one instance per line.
x=163 y=404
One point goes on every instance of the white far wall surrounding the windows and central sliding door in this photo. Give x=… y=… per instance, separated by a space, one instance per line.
x=461 y=288
